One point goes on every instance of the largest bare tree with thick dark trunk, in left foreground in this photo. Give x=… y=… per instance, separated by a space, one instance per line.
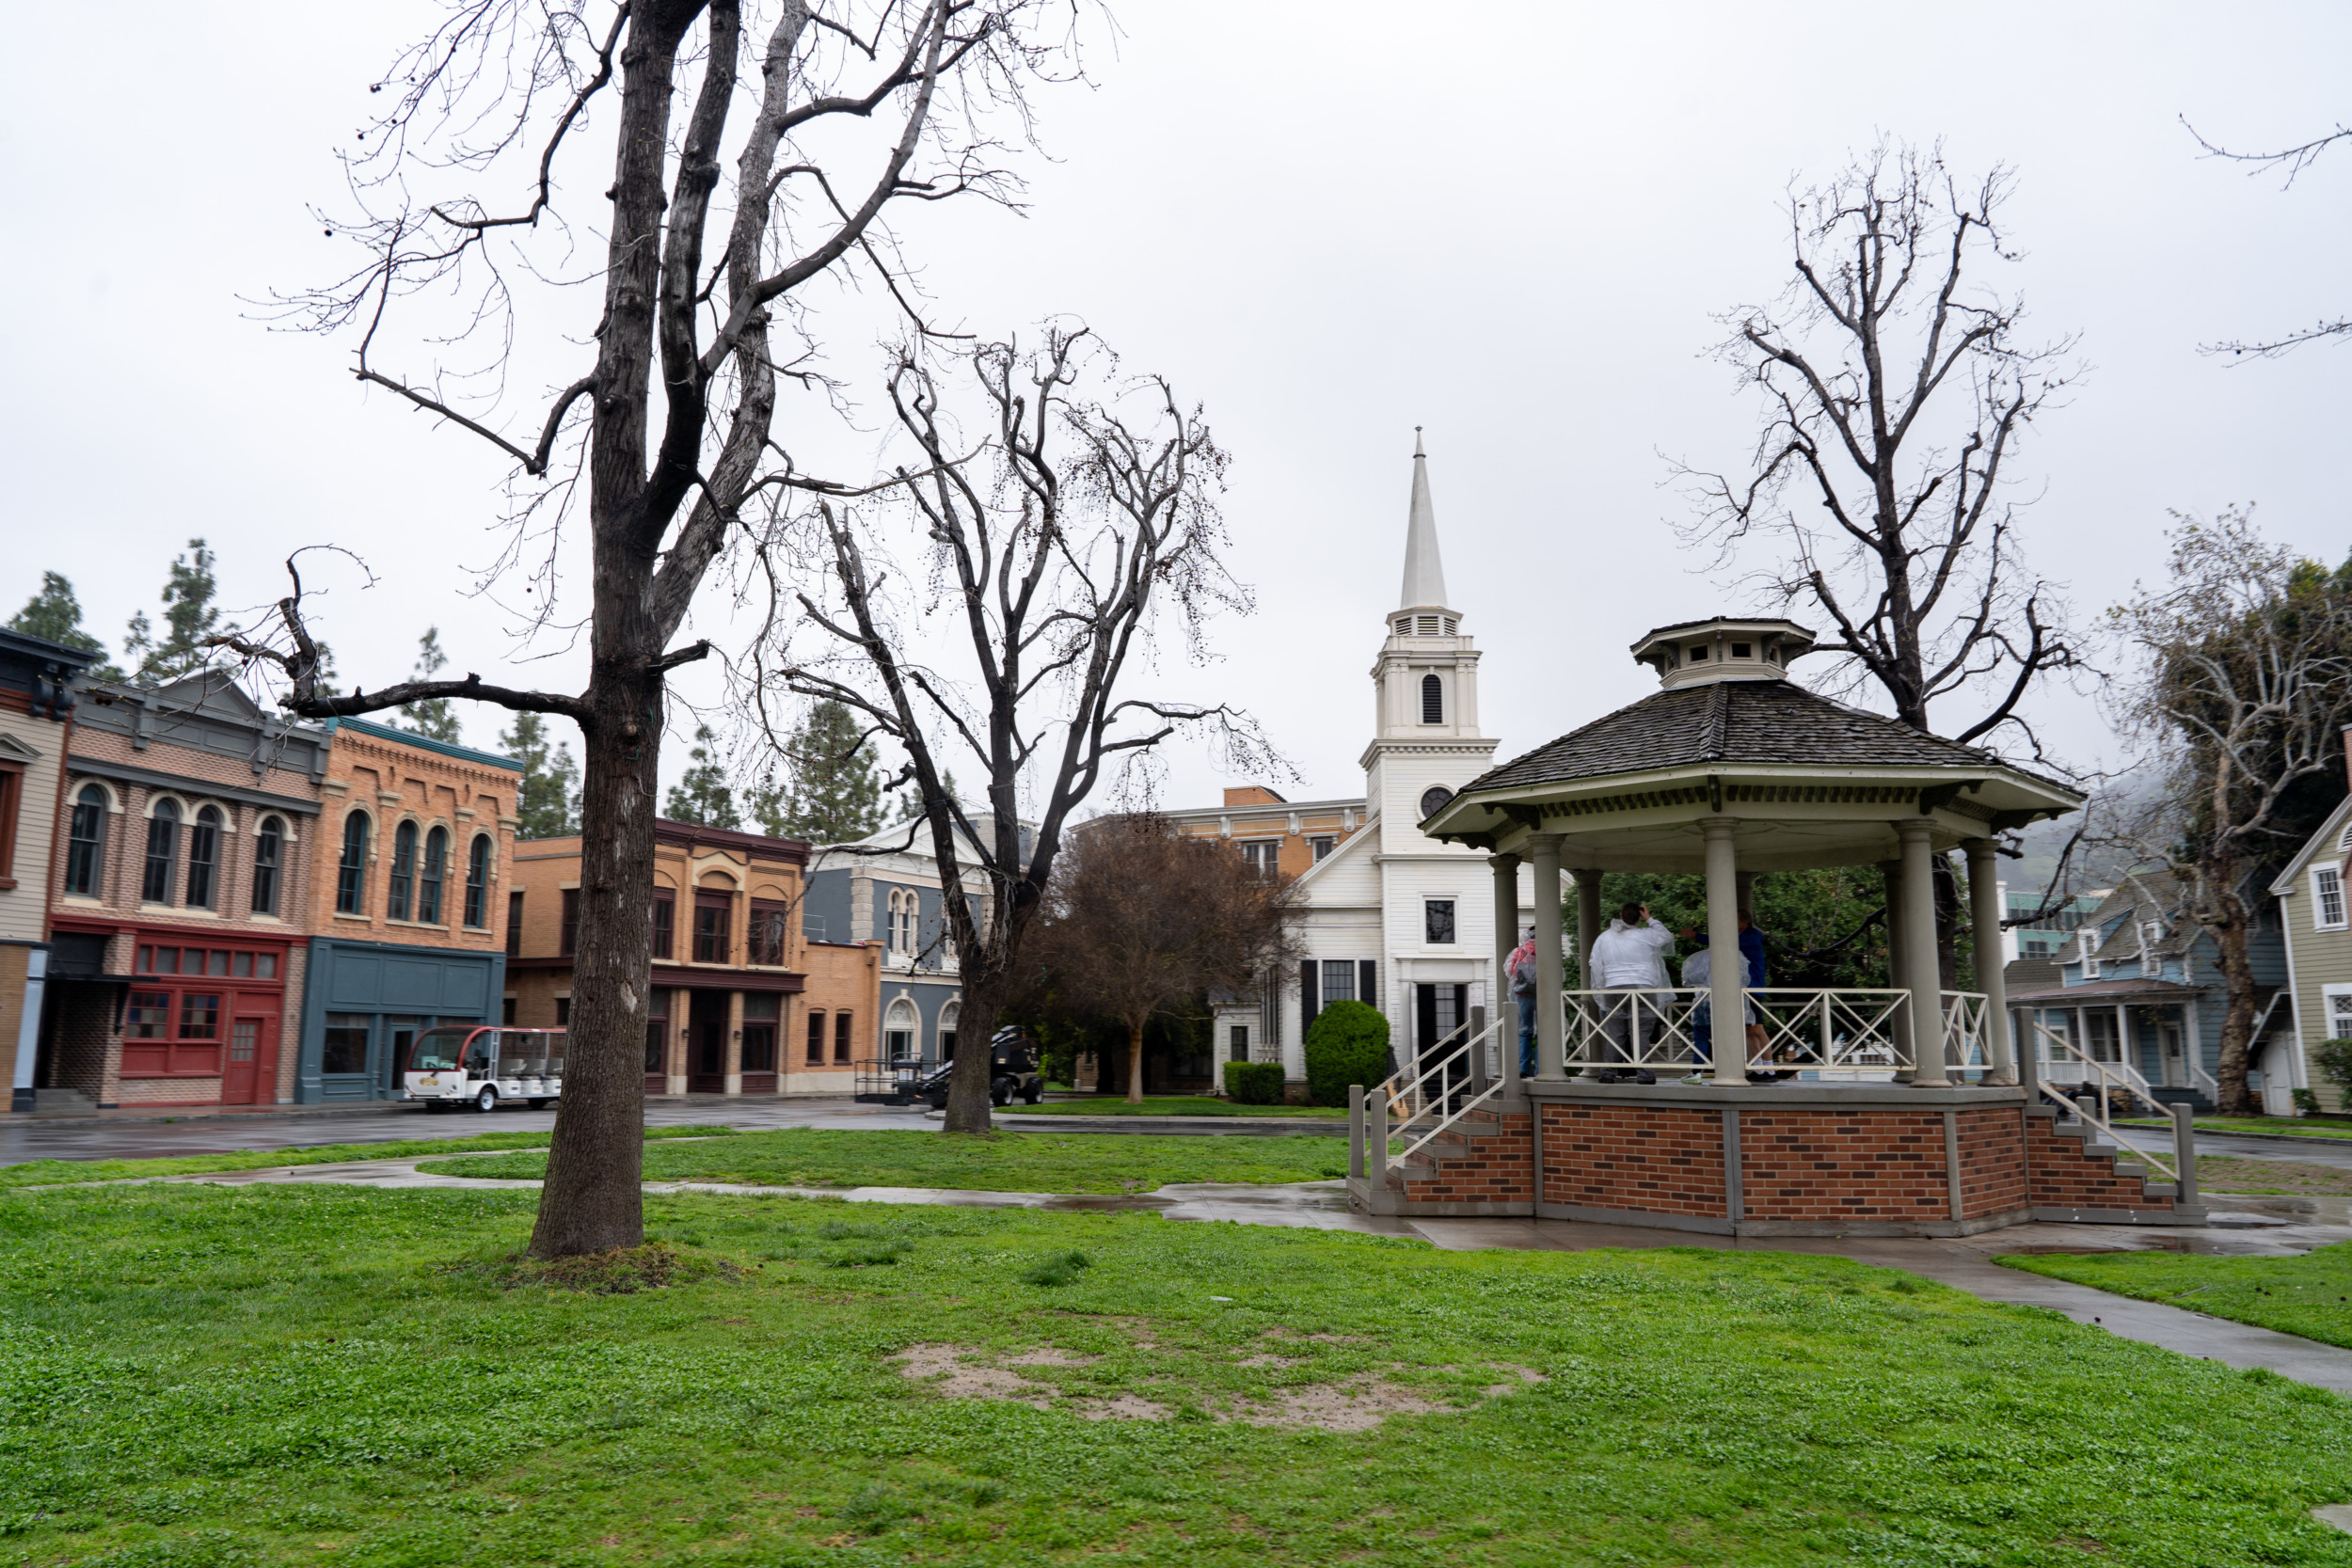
x=669 y=422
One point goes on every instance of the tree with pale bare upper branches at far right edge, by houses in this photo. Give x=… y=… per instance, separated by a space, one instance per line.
x=2243 y=697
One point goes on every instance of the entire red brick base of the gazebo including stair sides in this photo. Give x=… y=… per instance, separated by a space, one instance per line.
x=1777 y=1160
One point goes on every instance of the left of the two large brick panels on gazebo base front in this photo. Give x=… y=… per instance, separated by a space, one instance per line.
x=1636 y=1158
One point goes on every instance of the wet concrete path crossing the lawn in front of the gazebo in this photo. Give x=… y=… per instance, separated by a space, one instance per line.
x=2259 y=1228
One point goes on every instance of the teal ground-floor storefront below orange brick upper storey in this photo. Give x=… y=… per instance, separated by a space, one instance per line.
x=366 y=1000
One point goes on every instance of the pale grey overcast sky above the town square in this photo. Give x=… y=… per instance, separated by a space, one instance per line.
x=1509 y=225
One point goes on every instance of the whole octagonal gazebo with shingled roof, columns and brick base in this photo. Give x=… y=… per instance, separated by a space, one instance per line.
x=1869 y=1111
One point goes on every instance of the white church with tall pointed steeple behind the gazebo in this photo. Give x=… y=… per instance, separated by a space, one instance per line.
x=1389 y=916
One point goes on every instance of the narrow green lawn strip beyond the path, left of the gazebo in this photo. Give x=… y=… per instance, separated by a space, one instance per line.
x=1005 y=1162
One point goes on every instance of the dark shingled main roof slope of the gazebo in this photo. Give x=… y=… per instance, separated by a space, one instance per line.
x=1735 y=723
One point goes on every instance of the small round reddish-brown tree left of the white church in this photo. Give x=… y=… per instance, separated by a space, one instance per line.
x=1144 y=925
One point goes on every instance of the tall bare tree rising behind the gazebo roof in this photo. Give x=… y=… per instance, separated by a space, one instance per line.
x=1895 y=394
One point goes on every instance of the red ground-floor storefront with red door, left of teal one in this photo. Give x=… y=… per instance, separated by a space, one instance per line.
x=199 y=1007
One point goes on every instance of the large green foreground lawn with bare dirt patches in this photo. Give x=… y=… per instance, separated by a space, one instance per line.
x=211 y=1376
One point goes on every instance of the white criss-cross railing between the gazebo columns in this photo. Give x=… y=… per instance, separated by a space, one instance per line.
x=1826 y=1033
